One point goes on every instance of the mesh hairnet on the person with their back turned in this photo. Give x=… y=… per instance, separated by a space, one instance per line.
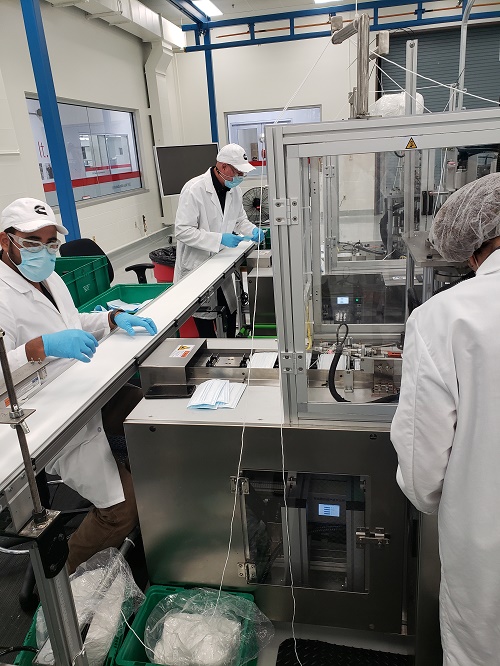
x=467 y=219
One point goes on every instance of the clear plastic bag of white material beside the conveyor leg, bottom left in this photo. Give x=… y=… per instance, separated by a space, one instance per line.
x=103 y=588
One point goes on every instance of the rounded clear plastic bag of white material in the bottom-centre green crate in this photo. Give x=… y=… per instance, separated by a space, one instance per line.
x=197 y=628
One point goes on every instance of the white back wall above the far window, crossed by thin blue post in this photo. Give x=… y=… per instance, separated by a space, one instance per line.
x=249 y=78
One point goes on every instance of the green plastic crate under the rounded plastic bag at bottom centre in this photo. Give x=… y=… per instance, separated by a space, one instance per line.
x=132 y=652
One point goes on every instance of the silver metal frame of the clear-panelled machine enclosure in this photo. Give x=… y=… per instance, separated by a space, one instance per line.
x=296 y=154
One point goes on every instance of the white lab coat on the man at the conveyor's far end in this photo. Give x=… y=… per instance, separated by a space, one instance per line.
x=199 y=225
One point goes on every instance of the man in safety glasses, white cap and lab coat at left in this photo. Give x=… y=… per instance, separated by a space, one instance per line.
x=40 y=320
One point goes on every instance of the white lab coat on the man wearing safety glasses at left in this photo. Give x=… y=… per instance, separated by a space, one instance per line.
x=86 y=463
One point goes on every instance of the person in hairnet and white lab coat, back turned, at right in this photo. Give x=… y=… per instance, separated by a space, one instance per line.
x=446 y=430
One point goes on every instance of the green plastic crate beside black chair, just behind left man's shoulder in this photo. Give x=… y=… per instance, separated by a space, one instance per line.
x=85 y=277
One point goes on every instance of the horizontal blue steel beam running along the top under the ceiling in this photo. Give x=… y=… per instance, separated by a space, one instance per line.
x=423 y=17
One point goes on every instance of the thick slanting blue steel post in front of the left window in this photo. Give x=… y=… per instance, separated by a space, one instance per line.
x=50 y=114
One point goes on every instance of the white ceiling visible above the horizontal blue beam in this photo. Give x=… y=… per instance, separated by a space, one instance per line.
x=234 y=8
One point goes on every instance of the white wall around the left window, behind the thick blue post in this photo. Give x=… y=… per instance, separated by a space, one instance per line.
x=91 y=62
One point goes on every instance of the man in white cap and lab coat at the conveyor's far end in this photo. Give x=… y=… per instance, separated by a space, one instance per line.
x=210 y=216
